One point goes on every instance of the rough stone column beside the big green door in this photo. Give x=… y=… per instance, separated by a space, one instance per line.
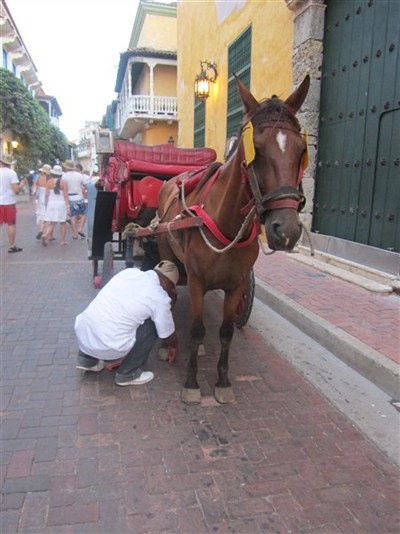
x=307 y=59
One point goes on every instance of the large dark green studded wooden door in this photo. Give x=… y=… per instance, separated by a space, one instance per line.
x=357 y=191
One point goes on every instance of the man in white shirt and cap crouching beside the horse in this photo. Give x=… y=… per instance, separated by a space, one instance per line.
x=125 y=319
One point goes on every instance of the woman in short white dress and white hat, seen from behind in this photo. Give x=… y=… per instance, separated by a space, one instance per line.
x=57 y=205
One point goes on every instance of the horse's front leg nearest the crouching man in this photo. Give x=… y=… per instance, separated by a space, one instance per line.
x=191 y=390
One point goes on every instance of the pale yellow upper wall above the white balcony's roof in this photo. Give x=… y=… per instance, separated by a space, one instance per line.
x=158 y=32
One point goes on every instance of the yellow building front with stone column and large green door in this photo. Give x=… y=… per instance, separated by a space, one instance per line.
x=351 y=114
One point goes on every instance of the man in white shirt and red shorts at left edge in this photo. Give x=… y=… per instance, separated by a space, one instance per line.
x=9 y=187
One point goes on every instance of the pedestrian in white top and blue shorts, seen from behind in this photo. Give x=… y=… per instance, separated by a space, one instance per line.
x=77 y=186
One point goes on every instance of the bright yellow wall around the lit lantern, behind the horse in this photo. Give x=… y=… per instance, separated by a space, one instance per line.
x=221 y=24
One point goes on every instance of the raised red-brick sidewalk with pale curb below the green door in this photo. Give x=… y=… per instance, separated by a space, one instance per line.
x=359 y=326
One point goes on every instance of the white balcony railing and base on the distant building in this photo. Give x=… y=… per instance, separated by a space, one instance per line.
x=142 y=109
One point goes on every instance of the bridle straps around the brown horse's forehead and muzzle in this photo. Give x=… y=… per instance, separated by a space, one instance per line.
x=282 y=197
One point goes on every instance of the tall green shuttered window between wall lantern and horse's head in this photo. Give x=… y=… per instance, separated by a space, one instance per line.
x=239 y=63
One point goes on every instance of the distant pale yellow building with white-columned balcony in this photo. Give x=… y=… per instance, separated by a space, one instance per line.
x=146 y=109
